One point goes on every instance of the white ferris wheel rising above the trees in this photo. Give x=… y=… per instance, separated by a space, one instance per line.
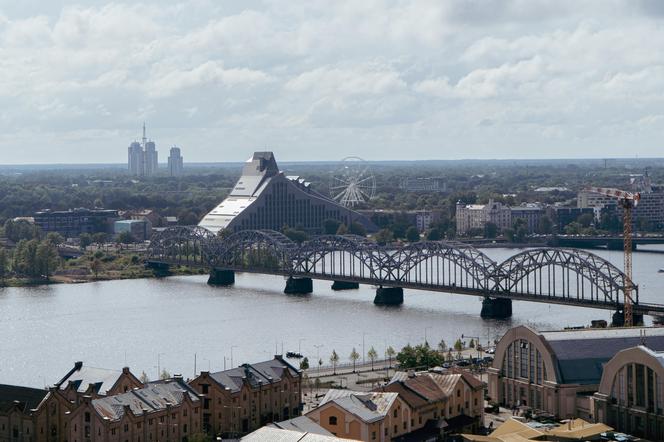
x=352 y=182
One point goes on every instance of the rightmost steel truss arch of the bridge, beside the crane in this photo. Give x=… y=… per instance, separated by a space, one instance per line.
x=566 y=274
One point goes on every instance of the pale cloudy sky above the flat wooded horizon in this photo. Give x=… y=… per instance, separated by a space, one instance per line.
x=322 y=80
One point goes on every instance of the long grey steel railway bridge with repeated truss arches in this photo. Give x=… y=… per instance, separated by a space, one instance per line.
x=549 y=275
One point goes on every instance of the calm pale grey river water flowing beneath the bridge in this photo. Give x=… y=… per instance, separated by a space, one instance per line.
x=170 y=322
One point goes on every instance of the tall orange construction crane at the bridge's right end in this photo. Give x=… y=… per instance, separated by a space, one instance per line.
x=627 y=200
